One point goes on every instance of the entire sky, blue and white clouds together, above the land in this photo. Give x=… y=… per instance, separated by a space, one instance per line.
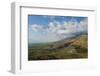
x=46 y=28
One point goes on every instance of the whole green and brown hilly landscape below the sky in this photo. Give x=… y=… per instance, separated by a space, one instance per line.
x=65 y=49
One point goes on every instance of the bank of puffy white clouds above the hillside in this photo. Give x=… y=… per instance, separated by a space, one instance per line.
x=57 y=31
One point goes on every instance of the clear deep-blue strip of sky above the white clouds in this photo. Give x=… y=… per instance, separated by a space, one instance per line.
x=44 y=20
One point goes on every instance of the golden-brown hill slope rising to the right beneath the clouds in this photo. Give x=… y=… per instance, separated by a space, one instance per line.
x=75 y=41
